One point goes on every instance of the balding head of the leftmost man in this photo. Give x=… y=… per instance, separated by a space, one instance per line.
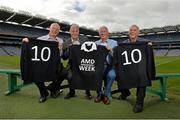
x=54 y=30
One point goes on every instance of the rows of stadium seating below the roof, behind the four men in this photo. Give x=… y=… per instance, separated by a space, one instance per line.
x=12 y=34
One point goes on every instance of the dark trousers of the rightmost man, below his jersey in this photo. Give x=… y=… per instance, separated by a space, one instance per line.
x=140 y=94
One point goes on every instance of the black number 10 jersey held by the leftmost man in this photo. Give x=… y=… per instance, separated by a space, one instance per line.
x=39 y=61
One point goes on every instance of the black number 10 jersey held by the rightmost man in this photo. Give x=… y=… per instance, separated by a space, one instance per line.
x=134 y=64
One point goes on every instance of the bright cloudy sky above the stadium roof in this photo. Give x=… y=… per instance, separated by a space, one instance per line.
x=117 y=15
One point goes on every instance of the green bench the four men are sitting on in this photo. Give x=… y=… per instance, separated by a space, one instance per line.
x=14 y=74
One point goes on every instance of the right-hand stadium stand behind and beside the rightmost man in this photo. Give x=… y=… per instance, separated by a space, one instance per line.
x=166 y=40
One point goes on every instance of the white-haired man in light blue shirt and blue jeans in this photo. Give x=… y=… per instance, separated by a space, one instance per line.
x=109 y=71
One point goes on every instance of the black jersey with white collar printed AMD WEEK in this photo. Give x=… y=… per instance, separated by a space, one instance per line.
x=87 y=65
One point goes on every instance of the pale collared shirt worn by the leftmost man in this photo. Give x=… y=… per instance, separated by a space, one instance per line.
x=48 y=38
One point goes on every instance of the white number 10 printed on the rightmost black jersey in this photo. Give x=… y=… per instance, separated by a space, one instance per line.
x=132 y=57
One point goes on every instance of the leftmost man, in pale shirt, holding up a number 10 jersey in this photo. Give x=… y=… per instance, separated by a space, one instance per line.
x=52 y=36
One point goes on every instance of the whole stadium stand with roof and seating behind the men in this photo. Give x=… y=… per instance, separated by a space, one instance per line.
x=16 y=25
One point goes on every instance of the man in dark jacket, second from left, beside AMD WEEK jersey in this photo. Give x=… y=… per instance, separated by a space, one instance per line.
x=74 y=40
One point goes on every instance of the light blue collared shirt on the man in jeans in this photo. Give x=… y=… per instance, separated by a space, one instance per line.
x=111 y=43
